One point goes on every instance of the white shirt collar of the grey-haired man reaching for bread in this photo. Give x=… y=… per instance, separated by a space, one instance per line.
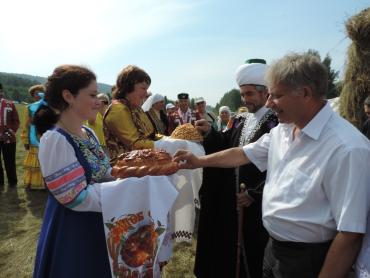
x=314 y=128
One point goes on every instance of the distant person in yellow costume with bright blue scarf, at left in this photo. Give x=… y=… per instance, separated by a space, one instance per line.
x=32 y=178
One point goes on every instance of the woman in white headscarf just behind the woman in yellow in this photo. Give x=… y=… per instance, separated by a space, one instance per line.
x=154 y=108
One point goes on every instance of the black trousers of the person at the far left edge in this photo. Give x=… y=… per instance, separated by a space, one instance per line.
x=8 y=151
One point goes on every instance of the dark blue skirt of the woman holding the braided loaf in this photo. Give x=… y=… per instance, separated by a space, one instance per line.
x=71 y=244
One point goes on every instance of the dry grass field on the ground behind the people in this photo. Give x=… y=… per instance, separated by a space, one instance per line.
x=21 y=214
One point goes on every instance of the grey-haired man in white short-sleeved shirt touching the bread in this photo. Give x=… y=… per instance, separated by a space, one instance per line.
x=316 y=196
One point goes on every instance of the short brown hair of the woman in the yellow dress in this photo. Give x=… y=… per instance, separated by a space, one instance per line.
x=126 y=80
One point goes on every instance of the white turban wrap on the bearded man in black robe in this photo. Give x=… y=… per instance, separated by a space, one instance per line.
x=251 y=74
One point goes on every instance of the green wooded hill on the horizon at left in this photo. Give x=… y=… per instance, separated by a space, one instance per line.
x=16 y=85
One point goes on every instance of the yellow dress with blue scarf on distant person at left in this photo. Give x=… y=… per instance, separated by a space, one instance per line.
x=32 y=178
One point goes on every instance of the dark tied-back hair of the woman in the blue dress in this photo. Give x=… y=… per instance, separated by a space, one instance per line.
x=66 y=77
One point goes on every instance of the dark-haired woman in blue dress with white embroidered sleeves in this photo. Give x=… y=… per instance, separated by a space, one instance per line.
x=72 y=240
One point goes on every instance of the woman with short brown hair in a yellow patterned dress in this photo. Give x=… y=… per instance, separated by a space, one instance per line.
x=126 y=126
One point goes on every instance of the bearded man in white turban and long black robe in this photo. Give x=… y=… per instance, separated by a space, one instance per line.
x=216 y=253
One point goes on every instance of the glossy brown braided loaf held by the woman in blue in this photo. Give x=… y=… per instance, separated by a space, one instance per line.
x=145 y=162
